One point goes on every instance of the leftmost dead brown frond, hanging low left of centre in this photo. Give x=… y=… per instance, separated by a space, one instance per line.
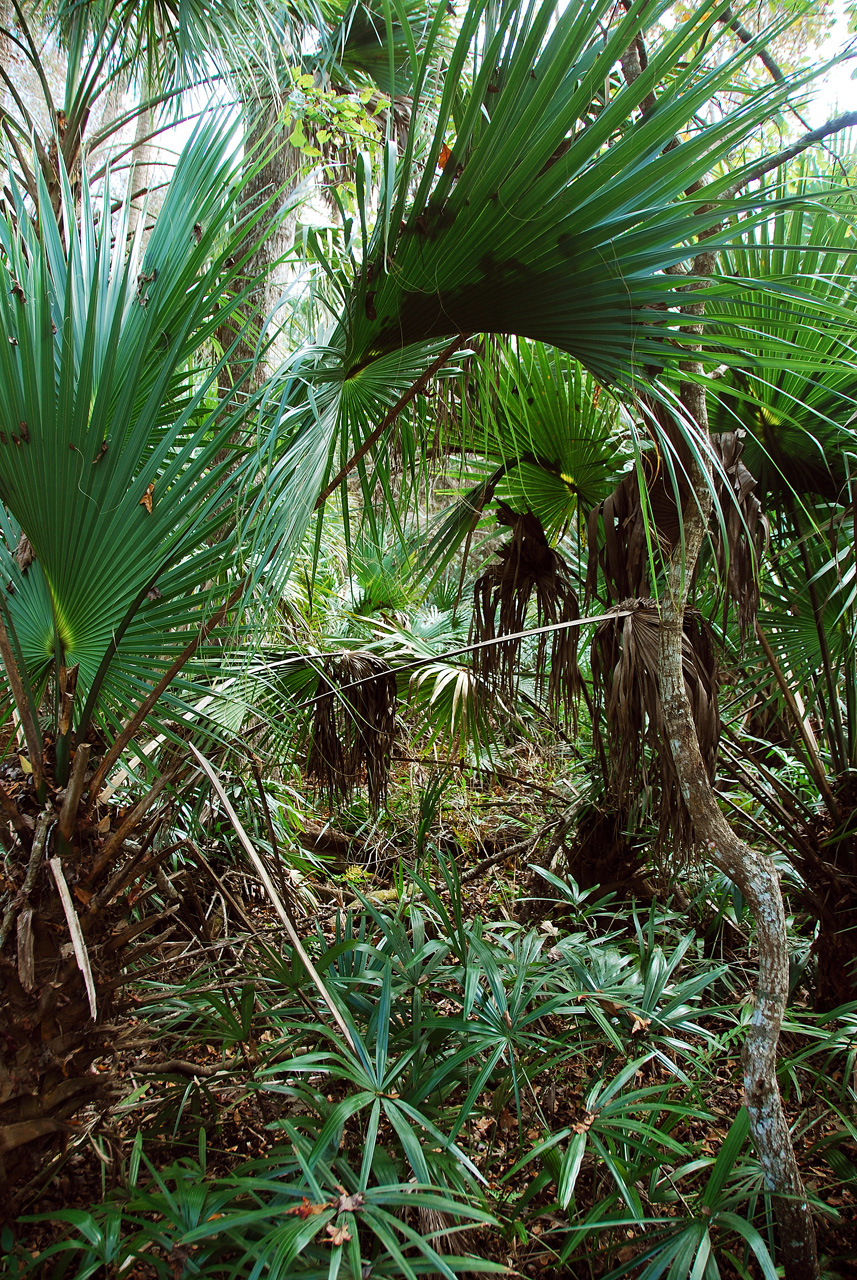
x=354 y=726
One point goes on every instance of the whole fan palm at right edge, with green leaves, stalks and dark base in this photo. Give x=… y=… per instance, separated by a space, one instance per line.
x=799 y=431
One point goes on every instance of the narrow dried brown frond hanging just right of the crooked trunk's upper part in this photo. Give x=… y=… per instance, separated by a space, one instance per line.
x=746 y=529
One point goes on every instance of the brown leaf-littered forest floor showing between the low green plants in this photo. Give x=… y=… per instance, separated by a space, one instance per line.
x=168 y=1086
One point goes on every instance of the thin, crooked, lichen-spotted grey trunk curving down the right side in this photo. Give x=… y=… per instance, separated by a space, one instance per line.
x=754 y=875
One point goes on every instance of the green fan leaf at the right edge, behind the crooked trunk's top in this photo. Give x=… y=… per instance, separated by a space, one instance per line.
x=796 y=392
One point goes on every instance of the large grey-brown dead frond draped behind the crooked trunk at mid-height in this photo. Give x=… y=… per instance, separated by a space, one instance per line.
x=640 y=772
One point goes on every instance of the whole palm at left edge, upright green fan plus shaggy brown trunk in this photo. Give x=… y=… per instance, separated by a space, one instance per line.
x=121 y=476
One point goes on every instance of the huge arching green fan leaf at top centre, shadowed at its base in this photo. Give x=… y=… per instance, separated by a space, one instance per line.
x=537 y=226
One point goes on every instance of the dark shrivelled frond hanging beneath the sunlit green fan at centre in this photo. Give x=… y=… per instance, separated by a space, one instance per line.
x=528 y=570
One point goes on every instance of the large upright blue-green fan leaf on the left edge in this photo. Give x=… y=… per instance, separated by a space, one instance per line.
x=121 y=461
